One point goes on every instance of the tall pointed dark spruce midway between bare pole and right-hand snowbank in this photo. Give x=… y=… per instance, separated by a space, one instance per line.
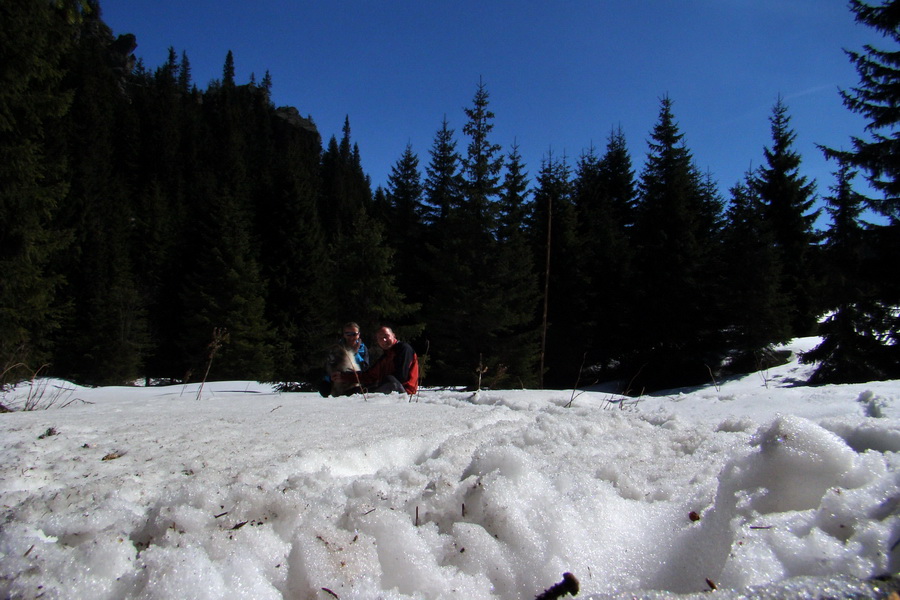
x=671 y=238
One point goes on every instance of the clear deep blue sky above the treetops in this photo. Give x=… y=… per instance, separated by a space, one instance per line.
x=561 y=75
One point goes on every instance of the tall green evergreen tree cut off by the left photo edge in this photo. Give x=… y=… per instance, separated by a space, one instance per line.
x=34 y=39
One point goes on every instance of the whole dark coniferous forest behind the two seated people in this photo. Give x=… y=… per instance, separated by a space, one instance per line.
x=154 y=230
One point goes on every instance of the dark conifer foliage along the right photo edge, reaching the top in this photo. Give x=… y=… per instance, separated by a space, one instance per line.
x=868 y=315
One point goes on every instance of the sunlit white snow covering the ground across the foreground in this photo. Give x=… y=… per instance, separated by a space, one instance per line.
x=759 y=486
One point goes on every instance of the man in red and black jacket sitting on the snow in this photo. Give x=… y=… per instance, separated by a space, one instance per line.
x=396 y=371
